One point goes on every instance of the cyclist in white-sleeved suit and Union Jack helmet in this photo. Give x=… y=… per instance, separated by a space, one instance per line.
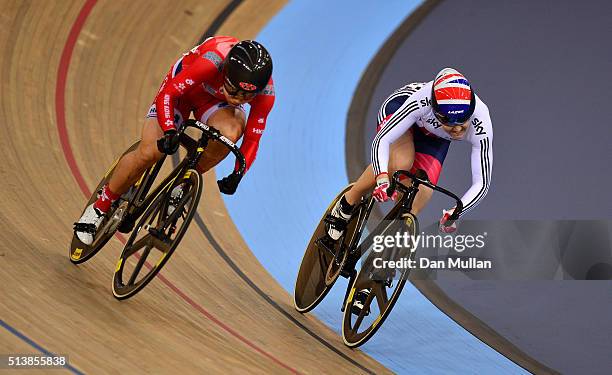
x=415 y=127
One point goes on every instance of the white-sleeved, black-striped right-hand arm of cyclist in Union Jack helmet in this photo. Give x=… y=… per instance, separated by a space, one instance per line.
x=482 y=166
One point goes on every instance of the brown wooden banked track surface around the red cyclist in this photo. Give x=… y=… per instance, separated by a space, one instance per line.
x=215 y=309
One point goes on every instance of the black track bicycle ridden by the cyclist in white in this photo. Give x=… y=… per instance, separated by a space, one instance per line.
x=372 y=290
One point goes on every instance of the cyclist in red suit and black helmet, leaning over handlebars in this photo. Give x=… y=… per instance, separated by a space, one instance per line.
x=213 y=81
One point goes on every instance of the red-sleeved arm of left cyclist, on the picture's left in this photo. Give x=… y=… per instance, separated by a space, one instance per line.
x=201 y=70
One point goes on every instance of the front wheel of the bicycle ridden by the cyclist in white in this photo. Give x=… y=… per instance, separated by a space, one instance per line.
x=376 y=290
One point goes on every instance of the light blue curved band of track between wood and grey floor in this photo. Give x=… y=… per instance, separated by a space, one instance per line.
x=320 y=49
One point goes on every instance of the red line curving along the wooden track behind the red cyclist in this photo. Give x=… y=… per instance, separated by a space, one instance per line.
x=60 y=105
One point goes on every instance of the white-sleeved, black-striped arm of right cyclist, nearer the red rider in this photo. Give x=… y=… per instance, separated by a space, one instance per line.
x=392 y=128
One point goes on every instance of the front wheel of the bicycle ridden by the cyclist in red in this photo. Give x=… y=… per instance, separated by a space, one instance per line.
x=156 y=236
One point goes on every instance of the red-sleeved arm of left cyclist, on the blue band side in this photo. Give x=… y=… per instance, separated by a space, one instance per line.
x=260 y=108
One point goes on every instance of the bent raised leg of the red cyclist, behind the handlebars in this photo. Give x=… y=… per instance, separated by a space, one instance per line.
x=230 y=121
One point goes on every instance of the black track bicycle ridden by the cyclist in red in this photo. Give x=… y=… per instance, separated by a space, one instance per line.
x=163 y=218
